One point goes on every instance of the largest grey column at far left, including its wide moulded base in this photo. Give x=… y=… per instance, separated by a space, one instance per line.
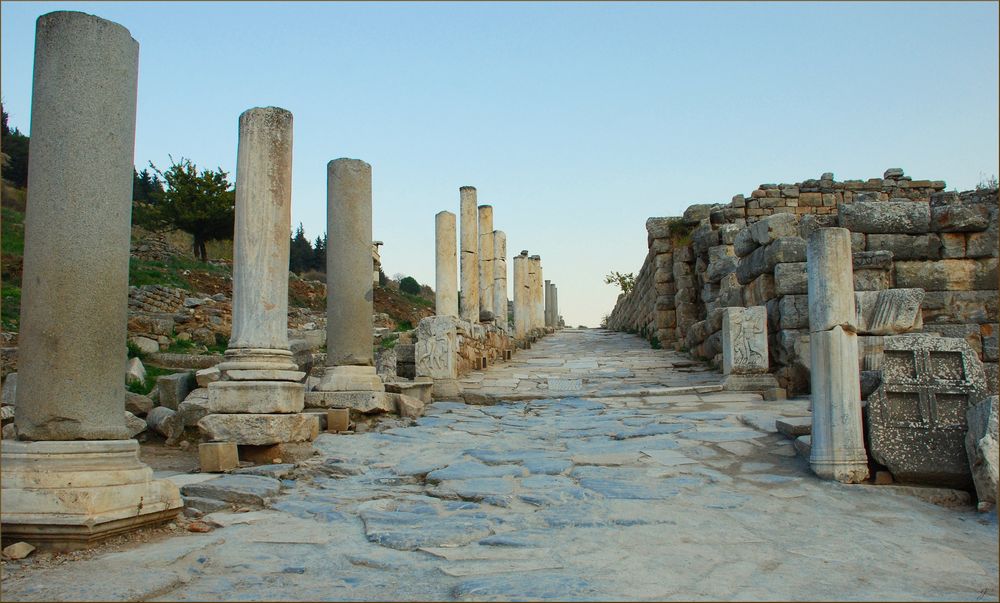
x=75 y=477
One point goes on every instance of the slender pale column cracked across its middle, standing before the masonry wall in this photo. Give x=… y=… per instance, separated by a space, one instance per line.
x=838 y=450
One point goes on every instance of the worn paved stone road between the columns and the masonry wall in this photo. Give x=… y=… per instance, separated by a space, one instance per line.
x=623 y=487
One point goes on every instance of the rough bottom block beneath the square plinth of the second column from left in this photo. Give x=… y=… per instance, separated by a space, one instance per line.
x=259 y=429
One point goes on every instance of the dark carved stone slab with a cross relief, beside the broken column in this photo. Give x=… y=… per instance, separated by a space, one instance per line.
x=917 y=416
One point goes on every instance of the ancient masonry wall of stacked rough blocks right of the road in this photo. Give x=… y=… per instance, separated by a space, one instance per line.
x=905 y=233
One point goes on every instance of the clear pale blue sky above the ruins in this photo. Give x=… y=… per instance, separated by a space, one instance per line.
x=575 y=121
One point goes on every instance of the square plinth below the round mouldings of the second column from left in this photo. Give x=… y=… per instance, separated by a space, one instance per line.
x=259 y=397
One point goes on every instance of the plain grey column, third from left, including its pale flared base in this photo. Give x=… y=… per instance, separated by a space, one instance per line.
x=350 y=364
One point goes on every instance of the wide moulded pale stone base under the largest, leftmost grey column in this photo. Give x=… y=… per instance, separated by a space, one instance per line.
x=67 y=495
